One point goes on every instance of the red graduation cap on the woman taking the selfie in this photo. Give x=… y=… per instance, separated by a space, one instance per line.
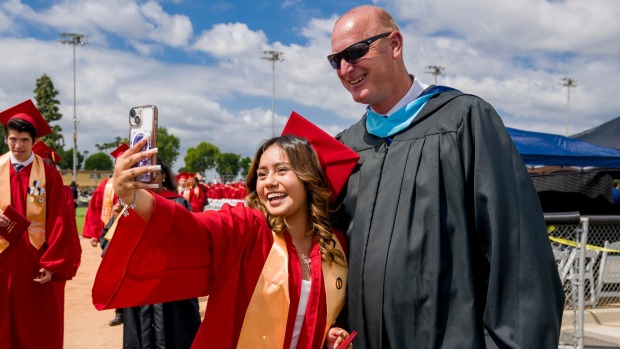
x=336 y=158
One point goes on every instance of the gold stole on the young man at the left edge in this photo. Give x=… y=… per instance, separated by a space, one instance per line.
x=36 y=199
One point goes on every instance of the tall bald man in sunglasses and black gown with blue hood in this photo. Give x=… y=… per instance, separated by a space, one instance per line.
x=447 y=241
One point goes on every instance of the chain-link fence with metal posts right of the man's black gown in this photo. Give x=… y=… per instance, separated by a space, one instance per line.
x=591 y=276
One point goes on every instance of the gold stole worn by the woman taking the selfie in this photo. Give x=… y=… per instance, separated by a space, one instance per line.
x=264 y=325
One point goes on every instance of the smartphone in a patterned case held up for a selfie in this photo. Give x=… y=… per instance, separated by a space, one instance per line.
x=143 y=124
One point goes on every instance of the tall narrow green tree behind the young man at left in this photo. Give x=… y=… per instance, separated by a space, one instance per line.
x=45 y=96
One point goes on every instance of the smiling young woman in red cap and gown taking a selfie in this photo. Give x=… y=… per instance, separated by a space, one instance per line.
x=274 y=269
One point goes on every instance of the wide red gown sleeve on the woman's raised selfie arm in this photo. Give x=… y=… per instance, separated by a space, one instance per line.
x=175 y=255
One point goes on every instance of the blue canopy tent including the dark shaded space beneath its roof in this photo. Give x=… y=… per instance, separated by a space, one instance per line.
x=587 y=191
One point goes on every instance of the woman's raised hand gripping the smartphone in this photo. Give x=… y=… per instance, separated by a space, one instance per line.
x=130 y=191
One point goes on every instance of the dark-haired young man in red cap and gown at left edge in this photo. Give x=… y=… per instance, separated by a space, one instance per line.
x=33 y=270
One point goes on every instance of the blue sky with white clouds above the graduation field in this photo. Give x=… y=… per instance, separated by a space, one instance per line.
x=200 y=62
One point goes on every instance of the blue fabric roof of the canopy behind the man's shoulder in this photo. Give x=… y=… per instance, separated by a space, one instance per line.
x=547 y=149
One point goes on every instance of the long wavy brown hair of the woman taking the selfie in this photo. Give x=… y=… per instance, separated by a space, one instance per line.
x=306 y=165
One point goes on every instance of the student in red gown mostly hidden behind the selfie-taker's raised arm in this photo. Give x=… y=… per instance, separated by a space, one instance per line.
x=98 y=215
